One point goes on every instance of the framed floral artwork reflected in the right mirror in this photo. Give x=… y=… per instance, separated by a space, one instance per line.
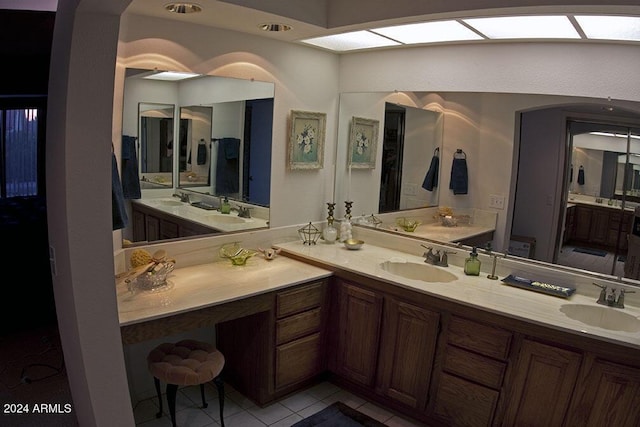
x=363 y=142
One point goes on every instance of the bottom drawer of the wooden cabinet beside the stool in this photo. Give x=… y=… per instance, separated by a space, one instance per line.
x=298 y=360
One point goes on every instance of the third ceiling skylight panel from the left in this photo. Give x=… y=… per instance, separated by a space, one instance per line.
x=525 y=27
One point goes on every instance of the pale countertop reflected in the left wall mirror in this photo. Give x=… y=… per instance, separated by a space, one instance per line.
x=209 y=218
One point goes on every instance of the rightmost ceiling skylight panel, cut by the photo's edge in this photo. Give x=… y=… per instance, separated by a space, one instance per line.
x=610 y=27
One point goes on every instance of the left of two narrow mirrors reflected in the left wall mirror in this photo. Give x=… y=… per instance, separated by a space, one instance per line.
x=156 y=143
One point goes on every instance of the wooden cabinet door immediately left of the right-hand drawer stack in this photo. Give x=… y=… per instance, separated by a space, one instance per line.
x=408 y=343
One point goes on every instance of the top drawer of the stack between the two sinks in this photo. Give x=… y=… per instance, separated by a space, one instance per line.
x=480 y=338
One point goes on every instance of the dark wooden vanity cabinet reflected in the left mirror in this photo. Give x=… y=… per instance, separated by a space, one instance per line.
x=151 y=224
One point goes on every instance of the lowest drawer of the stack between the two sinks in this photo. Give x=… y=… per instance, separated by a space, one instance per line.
x=463 y=403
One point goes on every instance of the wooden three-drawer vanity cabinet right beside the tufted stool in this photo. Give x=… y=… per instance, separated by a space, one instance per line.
x=280 y=350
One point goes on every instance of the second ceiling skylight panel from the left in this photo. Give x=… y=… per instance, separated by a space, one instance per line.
x=429 y=32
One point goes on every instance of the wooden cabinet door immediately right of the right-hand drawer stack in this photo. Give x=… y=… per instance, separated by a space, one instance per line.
x=542 y=386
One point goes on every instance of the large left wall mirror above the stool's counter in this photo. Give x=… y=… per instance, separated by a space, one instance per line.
x=208 y=137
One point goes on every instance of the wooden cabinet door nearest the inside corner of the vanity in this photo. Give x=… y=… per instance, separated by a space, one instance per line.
x=360 y=312
